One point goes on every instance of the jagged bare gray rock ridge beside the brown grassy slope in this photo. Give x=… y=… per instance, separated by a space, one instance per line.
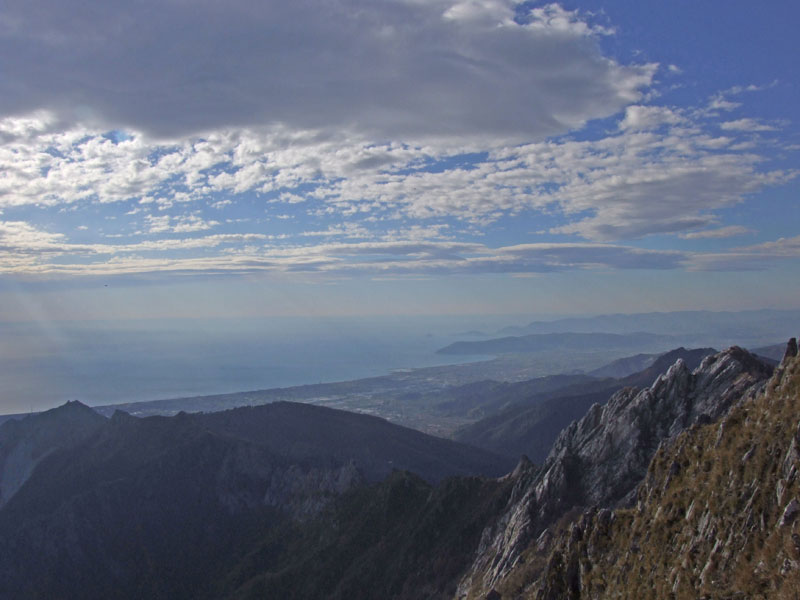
x=600 y=459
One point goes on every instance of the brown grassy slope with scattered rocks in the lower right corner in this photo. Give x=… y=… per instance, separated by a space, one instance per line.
x=715 y=517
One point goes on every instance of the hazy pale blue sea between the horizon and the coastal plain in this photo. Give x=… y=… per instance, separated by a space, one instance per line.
x=104 y=362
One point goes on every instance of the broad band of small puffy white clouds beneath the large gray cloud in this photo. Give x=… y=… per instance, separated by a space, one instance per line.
x=661 y=171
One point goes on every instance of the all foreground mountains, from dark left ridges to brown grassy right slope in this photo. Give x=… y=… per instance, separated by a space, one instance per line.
x=682 y=477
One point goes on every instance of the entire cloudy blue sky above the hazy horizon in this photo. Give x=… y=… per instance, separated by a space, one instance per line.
x=387 y=157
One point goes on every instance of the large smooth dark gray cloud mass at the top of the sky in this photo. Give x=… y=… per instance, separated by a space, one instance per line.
x=400 y=69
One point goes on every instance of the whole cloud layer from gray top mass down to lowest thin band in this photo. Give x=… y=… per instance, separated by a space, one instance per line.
x=354 y=137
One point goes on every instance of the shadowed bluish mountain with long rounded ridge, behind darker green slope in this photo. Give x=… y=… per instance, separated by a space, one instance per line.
x=165 y=507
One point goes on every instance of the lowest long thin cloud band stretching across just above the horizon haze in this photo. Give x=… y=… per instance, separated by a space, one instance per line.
x=24 y=249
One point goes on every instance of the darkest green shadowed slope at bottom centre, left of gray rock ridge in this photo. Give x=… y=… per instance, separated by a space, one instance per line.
x=402 y=539
